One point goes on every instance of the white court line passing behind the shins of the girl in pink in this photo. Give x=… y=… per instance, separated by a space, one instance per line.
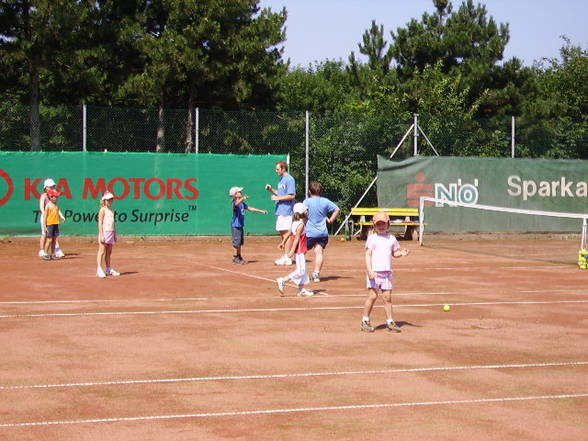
x=320 y=308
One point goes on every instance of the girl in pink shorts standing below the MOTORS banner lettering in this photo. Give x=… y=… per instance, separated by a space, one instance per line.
x=106 y=237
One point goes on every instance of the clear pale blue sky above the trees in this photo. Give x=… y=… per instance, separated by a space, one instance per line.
x=330 y=29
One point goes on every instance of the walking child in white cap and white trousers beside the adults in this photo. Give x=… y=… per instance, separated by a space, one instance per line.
x=298 y=249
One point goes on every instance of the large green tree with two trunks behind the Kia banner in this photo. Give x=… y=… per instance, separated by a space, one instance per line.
x=205 y=53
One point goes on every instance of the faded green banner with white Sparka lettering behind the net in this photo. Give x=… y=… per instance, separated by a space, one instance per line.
x=530 y=184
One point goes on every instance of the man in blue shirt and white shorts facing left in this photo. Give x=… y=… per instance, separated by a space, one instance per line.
x=284 y=197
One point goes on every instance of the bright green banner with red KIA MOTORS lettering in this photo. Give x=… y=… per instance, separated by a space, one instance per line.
x=155 y=194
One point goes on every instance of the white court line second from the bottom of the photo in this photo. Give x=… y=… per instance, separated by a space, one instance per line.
x=298 y=375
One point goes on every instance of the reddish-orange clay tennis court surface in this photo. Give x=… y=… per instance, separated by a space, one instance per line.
x=184 y=345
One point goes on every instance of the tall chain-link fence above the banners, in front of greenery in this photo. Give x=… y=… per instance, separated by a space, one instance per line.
x=342 y=148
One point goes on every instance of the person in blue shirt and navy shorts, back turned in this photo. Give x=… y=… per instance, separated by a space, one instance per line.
x=321 y=211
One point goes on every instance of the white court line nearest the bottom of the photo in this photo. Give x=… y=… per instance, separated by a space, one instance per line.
x=296 y=410
